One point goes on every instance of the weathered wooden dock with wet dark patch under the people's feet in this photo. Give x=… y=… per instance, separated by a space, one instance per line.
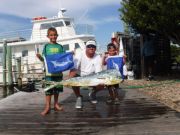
x=136 y=115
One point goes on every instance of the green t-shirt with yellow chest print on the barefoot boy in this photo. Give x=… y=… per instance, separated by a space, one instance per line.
x=50 y=49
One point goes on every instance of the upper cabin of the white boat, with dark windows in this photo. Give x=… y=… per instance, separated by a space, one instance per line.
x=63 y=25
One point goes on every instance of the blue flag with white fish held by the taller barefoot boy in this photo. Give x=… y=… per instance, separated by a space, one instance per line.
x=56 y=63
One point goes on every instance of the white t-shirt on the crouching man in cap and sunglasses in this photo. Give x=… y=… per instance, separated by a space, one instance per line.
x=87 y=65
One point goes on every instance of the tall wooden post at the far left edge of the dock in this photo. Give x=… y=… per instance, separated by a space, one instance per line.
x=4 y=62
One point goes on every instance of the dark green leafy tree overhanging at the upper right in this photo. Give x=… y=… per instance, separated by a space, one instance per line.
x=153 y=16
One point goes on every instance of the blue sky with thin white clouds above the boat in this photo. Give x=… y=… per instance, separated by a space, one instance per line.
x=102 y=15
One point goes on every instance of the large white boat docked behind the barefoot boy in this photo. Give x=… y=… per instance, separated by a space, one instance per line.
x=26 y=49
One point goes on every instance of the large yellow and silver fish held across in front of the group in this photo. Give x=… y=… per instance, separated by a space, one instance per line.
x=105 y=77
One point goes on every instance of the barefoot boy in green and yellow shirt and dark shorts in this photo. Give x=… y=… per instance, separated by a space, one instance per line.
x=49 y=49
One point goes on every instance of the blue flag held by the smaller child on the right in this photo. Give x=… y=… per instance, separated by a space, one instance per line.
x=115 y=62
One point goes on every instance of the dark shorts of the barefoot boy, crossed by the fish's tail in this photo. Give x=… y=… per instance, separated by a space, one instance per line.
x=57 y=89
